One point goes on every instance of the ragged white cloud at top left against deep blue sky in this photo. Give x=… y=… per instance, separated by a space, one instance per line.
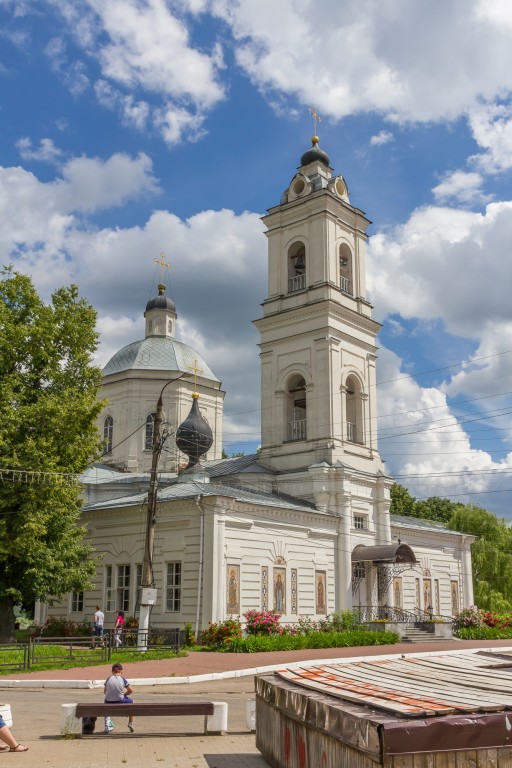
x=143 y=48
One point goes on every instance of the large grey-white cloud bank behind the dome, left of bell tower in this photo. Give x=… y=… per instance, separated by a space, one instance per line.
x=218 y=265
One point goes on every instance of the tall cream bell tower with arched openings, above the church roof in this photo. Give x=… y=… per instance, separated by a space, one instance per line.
x=318 y=339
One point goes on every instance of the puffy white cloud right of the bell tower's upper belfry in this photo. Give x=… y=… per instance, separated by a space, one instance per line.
x=445 y=263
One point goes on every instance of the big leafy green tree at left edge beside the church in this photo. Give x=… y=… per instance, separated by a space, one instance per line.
x=48 y=407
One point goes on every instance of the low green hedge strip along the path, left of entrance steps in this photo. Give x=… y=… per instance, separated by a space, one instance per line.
x=287 y=642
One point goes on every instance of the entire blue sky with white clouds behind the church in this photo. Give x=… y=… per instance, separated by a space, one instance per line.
x=135 y=127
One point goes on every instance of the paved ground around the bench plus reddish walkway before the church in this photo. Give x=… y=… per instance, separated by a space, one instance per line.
x=36 y=709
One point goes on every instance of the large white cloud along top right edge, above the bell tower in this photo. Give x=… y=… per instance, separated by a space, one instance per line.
x=401 y=59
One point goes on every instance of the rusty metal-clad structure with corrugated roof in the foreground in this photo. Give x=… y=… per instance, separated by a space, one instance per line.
x=303 y=725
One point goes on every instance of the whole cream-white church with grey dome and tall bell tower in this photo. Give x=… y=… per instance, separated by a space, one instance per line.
x=303 y=527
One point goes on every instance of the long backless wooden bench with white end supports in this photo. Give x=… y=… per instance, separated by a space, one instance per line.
x=215 y=713
